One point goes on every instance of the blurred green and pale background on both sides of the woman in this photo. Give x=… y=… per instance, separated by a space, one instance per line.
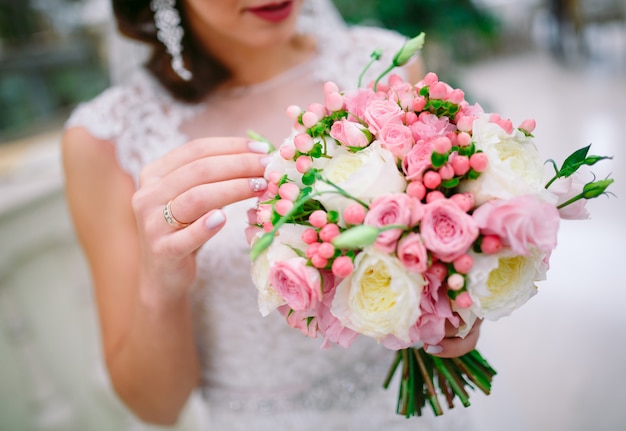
x=560 y=358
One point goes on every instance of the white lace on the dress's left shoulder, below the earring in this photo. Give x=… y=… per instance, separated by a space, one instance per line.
x=141 y=118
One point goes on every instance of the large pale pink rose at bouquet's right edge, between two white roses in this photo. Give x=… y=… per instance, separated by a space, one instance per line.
x=521 y=222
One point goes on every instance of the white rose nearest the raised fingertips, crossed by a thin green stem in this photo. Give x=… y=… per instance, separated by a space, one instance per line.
x=364 y=175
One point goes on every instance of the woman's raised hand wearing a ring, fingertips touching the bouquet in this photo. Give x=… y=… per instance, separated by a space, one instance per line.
x=197 y=179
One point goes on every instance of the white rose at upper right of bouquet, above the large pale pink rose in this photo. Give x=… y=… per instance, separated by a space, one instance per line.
x=515 y=166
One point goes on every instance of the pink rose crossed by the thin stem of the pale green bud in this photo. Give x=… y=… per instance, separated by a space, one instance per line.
x=392 y=209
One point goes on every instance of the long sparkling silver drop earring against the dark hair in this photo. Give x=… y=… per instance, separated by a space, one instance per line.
x=170 y=33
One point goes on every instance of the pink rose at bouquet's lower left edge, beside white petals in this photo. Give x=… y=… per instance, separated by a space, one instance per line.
x=298 y=284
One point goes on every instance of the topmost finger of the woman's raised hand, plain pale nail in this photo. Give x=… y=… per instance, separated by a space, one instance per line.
x=199 y=149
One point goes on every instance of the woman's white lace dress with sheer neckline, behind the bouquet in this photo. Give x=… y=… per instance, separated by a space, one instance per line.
x=258 y=373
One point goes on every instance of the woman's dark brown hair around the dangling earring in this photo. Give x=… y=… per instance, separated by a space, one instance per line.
x=135 y=20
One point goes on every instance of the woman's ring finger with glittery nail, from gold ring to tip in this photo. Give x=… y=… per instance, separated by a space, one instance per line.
x=199 y=200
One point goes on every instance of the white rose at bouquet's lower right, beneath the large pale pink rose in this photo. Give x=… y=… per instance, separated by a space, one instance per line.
x=503 y=282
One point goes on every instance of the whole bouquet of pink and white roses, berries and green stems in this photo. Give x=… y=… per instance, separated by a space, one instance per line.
x=398 y=207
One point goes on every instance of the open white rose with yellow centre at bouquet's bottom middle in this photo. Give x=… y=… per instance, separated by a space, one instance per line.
x=380 y=298
